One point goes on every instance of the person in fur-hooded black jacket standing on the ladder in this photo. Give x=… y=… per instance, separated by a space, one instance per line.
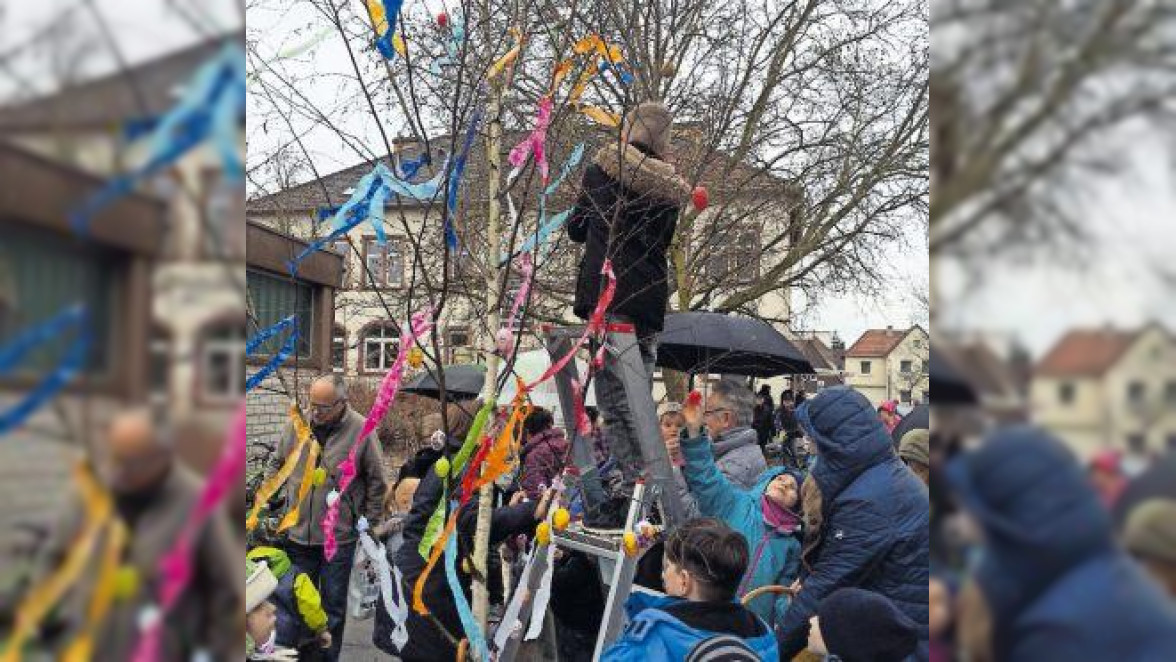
x=627 y=212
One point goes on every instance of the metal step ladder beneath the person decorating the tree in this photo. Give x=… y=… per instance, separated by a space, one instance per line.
x=658 y=485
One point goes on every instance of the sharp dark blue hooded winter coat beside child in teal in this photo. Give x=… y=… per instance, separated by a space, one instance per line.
x=876 y=516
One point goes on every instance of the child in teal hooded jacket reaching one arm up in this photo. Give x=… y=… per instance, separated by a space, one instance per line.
x=767 y=516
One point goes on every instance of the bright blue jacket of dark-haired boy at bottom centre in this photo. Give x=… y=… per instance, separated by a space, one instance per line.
x=672 y=628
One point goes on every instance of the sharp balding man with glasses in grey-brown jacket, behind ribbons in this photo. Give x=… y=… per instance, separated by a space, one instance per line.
x=336 y=426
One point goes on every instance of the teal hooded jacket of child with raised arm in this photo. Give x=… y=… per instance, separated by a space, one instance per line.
x=774 y=554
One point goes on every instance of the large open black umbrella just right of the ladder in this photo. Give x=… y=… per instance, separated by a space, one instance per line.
x=700 y=343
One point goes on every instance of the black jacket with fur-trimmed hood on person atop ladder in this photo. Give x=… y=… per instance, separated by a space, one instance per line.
x=644 y=196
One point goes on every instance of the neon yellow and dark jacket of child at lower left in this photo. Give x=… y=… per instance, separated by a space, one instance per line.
x=300 y=614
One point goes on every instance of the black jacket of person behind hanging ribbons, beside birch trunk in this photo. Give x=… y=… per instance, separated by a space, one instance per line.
x=425 y=643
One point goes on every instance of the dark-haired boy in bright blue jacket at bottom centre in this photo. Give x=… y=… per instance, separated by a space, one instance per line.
x=700 y=618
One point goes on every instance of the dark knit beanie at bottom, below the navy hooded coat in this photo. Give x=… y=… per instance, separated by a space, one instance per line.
x=860 y=626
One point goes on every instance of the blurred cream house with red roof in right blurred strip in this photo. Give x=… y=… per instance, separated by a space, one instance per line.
x=1110 y=389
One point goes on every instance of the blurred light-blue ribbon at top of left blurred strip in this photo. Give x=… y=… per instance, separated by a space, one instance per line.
x=212 y=109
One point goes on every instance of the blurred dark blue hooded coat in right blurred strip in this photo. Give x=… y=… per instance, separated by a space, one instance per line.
x=1057 y=584
